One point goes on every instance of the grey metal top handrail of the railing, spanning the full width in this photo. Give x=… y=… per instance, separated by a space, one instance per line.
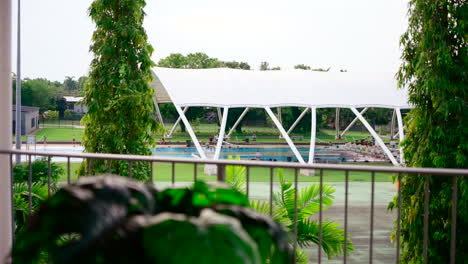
x=269 y=164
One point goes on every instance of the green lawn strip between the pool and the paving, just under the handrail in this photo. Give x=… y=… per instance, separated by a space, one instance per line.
x=184 y=173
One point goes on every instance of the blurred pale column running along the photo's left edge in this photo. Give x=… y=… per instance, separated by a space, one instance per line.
x=6 y=233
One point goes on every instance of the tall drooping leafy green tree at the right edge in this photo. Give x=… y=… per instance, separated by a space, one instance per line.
x=435 y=63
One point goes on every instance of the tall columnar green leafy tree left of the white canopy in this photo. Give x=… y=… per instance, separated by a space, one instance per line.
x=120 y=116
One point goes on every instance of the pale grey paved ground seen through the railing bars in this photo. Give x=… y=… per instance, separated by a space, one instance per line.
x=359 y=202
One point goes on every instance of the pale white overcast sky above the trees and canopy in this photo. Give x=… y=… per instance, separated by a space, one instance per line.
x=359 y=35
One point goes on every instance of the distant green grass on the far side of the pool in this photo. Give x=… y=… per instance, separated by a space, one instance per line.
x=204 y=132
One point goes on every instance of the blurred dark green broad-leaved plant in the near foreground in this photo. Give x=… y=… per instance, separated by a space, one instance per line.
x=117 y=220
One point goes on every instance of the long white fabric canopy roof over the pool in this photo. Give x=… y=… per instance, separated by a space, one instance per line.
x=241 y=88
